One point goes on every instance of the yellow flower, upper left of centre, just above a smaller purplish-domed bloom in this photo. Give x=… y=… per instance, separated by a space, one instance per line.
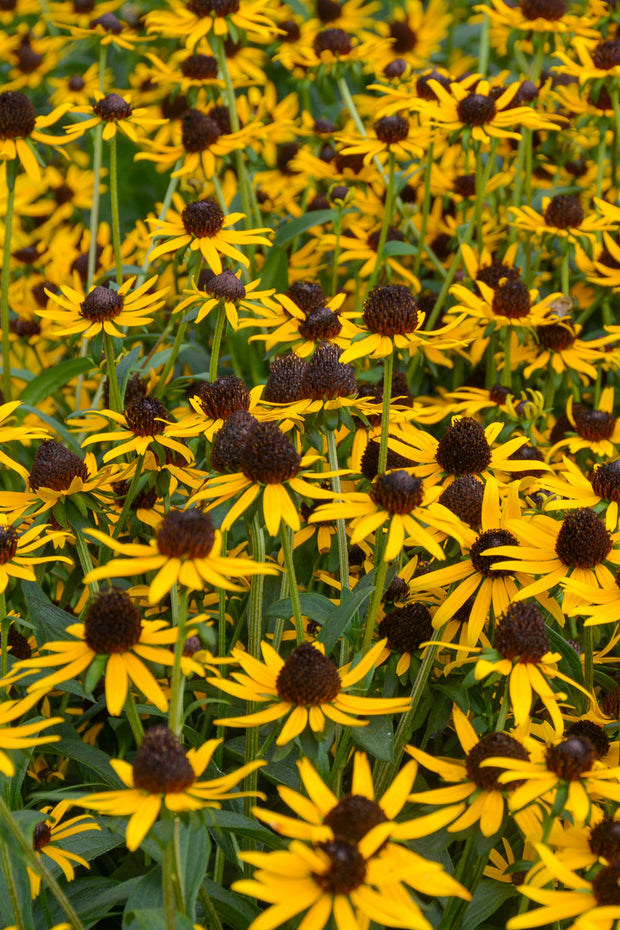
x=202 y=226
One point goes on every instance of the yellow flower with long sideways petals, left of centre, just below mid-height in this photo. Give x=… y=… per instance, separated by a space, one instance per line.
x=186 y=549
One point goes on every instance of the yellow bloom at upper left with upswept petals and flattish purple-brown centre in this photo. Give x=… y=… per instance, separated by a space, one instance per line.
x=103 y=309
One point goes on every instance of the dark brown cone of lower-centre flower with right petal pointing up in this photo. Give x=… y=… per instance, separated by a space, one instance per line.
x=308 y=678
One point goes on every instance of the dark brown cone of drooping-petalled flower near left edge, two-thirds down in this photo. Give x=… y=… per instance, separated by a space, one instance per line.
x=112 y=623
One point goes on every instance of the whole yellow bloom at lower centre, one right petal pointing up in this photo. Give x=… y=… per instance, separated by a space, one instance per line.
x=306 y=688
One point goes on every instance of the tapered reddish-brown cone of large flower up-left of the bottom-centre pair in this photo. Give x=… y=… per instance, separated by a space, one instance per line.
x=160 y=765
